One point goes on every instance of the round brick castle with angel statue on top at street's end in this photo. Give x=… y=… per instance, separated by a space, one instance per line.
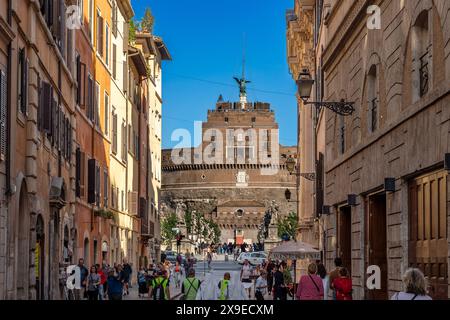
x=233 y=175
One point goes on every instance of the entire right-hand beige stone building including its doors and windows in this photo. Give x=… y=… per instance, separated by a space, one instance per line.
x=385 y=178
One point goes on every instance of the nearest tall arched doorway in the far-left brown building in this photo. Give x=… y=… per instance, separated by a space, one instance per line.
x=23 y=246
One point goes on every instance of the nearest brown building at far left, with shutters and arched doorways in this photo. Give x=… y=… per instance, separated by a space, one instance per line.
x=37 y=161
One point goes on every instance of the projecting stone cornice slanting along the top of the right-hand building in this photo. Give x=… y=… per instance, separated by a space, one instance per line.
x=343 y=32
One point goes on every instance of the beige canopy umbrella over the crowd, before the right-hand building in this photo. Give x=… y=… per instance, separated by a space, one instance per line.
x=294 y=250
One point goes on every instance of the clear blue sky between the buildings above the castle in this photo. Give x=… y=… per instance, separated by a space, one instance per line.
x=205 y=38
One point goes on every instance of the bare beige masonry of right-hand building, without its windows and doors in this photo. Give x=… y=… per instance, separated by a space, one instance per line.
x=412 y=134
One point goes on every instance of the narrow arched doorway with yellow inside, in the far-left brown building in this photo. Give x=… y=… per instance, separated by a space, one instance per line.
x=39 y=262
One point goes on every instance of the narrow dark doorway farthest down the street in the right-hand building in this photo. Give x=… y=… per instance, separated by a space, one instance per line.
x=345 y=236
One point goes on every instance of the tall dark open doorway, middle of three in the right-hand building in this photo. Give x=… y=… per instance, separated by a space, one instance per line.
x=376 y=242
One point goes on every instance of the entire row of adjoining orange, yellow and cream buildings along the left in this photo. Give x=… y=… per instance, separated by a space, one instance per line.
x=59 y=198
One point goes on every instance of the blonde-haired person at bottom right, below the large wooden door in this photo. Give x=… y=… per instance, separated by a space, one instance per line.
x=415 y=284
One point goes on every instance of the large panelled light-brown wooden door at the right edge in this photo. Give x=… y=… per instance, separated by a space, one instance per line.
x=428 y=246
